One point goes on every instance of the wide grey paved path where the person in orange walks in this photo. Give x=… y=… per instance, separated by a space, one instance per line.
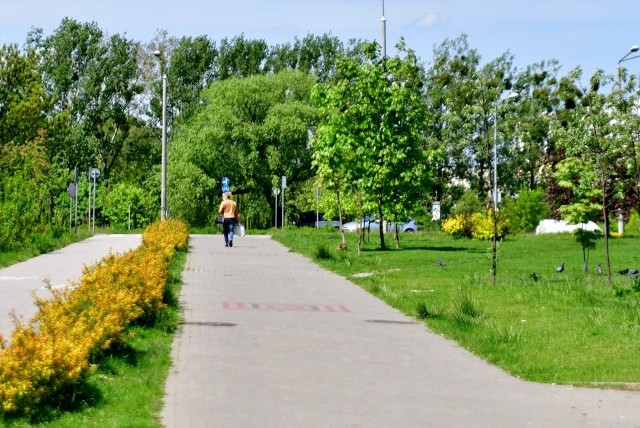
x=271 y=340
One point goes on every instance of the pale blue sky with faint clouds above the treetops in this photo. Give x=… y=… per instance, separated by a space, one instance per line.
x=589 y=33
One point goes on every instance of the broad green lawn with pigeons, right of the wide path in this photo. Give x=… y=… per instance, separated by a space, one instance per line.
x=569 y=328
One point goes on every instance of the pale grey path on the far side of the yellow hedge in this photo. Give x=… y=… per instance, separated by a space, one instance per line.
x=60 y=268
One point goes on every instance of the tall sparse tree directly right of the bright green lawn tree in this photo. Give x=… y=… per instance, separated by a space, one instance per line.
x=463 y=97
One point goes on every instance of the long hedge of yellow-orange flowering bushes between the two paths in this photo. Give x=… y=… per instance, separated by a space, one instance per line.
x=54 y=349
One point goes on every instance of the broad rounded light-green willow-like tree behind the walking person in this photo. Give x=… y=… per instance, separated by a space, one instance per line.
x=253 y=130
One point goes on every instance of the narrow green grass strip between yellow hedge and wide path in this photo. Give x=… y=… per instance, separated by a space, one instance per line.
x=128 y=387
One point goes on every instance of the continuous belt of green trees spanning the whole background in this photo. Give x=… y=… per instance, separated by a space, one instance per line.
x=370 y=135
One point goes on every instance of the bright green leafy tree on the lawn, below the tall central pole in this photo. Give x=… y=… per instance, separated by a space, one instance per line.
x=372 y=121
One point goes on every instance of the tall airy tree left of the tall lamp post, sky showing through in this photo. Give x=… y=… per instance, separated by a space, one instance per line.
x=94 y=79
